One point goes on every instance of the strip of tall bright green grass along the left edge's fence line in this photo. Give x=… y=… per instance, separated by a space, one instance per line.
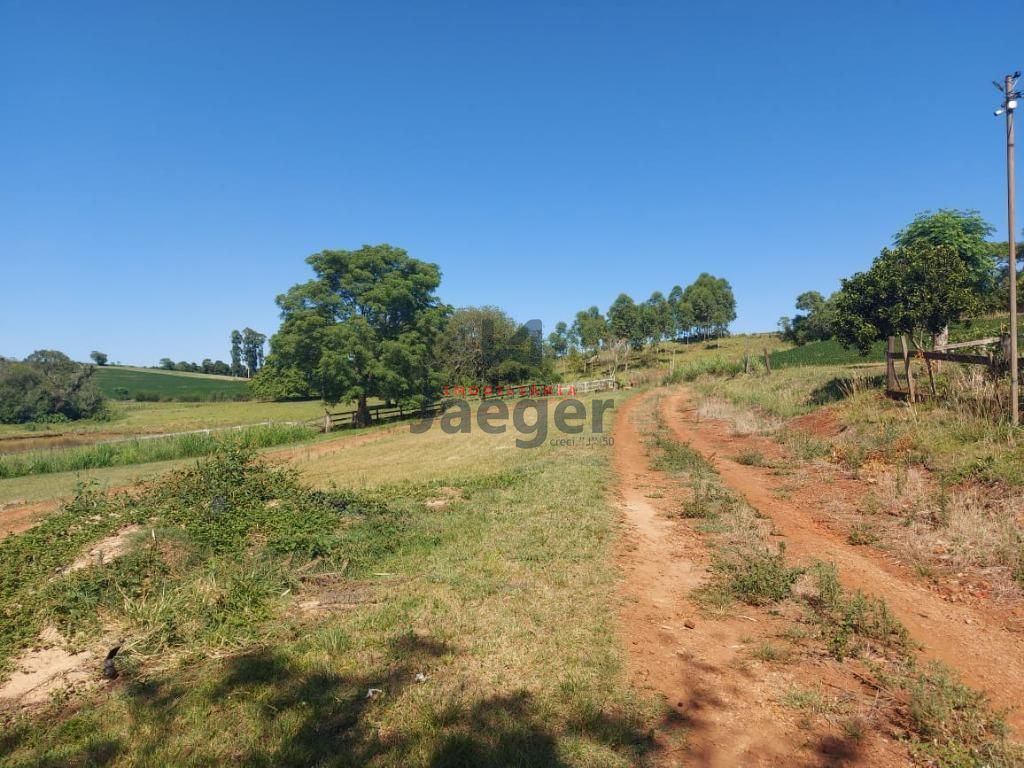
x=125 y=453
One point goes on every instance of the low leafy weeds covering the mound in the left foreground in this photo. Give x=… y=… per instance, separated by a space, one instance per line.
x=224 y=541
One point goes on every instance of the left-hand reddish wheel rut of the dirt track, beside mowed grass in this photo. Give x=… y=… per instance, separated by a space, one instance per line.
x=727 y=710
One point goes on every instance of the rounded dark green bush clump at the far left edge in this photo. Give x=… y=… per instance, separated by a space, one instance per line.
x=48 y=386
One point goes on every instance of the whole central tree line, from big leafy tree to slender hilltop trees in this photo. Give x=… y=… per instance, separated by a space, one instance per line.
x=370 y=325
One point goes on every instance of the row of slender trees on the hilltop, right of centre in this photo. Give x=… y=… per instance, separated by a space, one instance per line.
x=704 y=310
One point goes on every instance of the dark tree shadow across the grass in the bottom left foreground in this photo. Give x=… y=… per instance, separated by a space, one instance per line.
x=264 y=708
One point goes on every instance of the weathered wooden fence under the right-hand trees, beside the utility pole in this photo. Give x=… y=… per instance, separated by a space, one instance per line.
x=994 y=354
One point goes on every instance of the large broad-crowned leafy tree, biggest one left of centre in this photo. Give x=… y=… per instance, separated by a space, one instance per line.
x=365 y=327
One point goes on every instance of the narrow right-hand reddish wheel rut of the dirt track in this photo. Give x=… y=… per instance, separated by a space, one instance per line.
x=987 y=656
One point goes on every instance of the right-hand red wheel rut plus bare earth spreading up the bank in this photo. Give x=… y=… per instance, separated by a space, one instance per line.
x=968 y=633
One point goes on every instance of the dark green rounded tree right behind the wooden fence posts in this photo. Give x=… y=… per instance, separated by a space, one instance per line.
x=917 y=290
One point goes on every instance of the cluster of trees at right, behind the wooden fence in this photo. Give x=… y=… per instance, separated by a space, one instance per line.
x=941 y=269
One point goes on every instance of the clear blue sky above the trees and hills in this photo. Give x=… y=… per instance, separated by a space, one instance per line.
x=165 y=168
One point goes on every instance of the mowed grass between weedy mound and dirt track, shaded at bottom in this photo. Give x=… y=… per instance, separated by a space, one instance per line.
x=467 y=618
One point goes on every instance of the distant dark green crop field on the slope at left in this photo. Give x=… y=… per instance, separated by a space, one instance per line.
x=131 y=383
